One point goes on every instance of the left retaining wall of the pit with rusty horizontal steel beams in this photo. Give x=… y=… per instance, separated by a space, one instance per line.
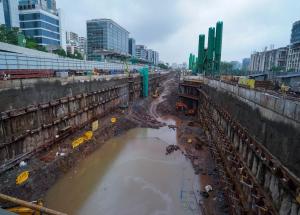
x=54 y=110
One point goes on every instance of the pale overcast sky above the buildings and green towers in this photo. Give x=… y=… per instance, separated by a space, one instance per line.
x=172 y=26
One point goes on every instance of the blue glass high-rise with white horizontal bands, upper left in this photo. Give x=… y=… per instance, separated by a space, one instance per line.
x=40 y=22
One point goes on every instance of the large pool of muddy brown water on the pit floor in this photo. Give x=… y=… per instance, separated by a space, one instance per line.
x=130 y=174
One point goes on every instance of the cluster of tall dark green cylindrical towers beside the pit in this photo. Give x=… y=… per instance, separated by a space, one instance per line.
x=209 y=60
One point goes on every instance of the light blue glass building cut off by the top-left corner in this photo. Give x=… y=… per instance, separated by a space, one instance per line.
x=9 y=15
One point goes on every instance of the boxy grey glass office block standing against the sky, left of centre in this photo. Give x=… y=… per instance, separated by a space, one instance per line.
x=104 y=37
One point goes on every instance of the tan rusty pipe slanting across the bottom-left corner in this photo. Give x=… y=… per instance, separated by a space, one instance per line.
x=29 y=205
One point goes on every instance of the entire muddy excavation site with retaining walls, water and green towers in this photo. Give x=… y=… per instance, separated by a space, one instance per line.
x=151 y=142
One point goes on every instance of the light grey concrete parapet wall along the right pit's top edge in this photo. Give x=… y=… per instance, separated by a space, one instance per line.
x=275 y=108
